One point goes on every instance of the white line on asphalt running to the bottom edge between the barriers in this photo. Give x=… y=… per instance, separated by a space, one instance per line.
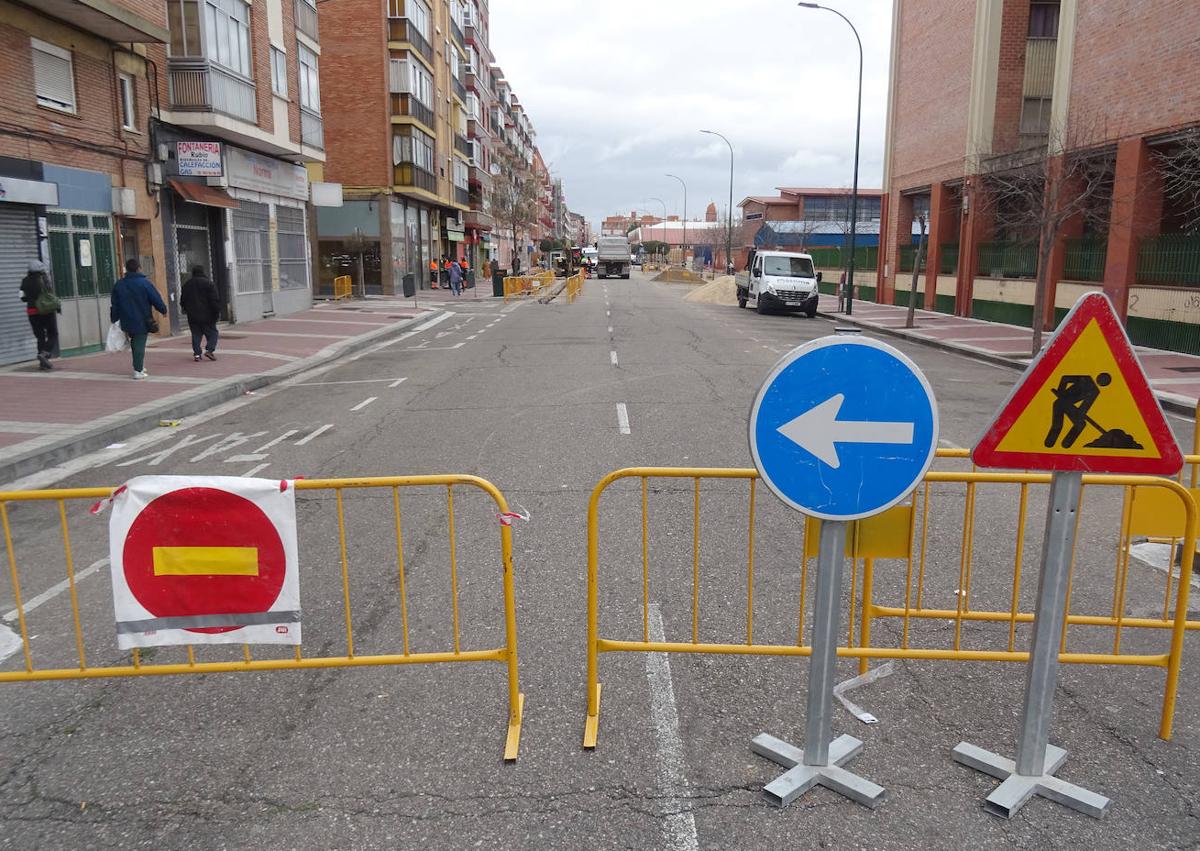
x=679 y=829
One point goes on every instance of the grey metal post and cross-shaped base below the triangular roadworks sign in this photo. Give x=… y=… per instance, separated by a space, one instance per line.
x=1037 y=760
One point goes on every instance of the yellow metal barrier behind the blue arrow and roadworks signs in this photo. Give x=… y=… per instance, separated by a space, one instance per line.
x=891 y=536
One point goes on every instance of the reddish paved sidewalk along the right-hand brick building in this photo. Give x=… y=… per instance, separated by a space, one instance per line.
x=1175 y=377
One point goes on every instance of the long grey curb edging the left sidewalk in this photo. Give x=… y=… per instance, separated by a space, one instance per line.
x=69 y=448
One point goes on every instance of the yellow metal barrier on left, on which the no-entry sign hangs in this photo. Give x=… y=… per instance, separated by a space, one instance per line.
x=389 y=490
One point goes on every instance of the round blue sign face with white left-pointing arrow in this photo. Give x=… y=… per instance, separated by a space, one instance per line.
x=844 y=428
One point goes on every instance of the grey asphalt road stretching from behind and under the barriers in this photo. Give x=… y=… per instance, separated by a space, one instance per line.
x=544 y=400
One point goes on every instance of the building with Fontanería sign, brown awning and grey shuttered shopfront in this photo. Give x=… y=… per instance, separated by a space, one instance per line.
x=241 y=125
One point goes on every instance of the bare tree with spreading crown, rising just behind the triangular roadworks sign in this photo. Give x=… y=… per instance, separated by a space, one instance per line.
x=1033 y=195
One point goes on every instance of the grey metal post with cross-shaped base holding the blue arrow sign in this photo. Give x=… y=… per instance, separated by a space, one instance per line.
x=821 y=763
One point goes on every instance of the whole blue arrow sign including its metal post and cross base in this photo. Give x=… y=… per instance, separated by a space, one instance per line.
x=843 y=429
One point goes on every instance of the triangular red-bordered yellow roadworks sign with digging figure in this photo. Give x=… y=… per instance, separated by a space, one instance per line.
x=1084 y=405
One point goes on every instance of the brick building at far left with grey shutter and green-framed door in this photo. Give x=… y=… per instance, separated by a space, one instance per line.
x=76 y=142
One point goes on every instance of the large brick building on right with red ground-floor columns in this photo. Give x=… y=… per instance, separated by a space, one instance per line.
x=979 y=87
